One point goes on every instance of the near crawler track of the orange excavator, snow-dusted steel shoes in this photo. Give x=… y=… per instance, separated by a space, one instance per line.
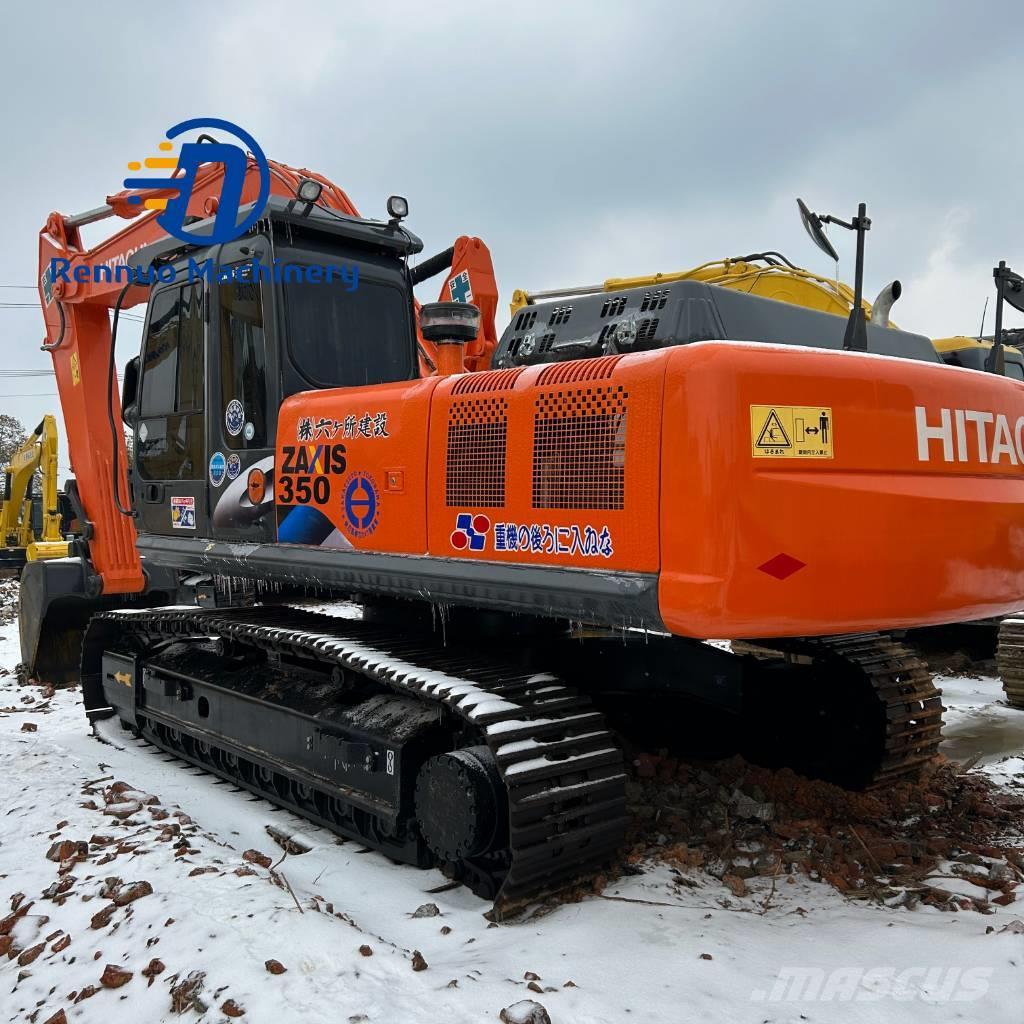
x=562 y=770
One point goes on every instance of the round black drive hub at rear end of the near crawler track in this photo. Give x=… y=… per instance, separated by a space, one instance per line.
x=461 y=805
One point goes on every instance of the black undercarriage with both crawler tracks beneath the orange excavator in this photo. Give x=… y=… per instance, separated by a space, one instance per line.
x=503 y=761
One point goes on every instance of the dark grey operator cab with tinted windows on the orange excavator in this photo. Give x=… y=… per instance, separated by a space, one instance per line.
x=232 y=331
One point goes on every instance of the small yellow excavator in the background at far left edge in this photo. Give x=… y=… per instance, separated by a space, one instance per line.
x=31 y=527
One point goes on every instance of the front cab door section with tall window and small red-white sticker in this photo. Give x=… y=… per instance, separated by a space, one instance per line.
x=170 y=432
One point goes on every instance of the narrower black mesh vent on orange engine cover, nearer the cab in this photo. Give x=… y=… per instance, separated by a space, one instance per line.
x=475 y=474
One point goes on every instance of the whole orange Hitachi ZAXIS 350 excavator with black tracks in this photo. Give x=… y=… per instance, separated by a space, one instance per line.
x=535 y=547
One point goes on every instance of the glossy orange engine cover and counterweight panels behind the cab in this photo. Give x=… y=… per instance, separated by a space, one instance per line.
x=644 y=464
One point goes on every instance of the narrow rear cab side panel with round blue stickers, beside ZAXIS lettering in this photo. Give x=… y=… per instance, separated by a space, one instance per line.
x=243 y=398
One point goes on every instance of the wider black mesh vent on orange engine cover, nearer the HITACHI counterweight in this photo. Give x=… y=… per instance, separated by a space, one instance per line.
x=580 y=448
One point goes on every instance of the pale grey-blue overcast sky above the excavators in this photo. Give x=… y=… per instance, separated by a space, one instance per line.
x=580 y=141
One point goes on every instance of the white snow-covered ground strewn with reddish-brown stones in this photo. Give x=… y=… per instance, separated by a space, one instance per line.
x=655 y=948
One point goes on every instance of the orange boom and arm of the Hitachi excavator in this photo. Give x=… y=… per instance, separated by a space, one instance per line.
x=77 y=306
